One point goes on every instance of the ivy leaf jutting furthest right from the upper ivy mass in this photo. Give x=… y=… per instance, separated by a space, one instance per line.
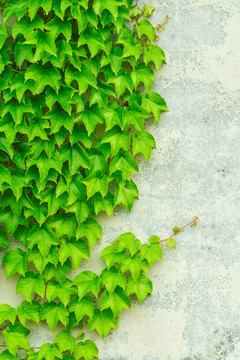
x=154 y=104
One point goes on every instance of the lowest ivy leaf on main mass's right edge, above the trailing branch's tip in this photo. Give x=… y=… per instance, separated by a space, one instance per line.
x=125 y=194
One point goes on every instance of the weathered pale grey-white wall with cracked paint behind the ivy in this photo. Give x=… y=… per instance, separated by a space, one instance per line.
x=194 y=311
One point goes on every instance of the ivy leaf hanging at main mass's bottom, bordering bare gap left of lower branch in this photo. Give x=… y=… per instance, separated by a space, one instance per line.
x=77 y=250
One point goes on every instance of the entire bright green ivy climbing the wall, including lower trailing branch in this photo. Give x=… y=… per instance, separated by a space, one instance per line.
x=75 y=98
